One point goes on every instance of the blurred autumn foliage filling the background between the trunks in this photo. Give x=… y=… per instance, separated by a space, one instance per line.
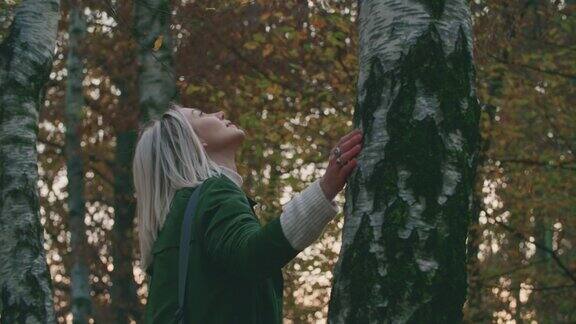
x=285 y=71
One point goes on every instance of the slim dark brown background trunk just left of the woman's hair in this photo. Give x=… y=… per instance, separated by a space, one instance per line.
x=125 y=303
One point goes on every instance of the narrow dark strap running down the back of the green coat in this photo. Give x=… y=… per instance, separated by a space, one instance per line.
x=184 y=252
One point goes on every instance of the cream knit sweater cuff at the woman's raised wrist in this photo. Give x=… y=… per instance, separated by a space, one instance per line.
x=304 y=217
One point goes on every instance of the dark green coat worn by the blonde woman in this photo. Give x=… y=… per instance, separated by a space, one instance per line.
x=234 y=274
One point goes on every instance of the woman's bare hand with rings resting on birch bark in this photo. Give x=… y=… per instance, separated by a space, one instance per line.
x=335 y=177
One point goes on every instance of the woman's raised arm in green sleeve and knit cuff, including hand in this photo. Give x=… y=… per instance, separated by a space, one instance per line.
x=234 y=238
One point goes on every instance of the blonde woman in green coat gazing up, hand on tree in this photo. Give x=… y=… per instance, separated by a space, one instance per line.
x=234 y=273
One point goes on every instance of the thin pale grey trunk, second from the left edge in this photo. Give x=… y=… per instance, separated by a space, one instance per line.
x=79 y=285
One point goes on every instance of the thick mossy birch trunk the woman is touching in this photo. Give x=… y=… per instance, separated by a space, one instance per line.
x=403 y=256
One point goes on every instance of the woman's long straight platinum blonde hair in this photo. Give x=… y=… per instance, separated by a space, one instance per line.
x=168 y=156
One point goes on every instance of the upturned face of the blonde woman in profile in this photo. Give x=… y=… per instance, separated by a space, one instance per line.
x=218 y=133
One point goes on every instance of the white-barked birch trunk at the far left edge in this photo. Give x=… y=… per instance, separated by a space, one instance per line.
x=25 y=63
